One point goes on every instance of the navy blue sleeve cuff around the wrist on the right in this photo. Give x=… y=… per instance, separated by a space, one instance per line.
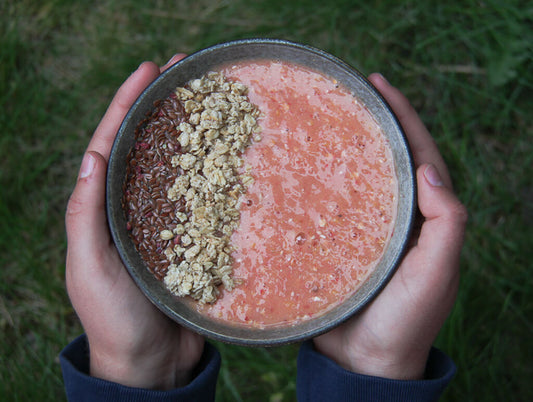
x=321 y=379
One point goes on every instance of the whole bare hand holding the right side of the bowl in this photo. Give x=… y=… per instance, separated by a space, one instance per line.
x=392 y=337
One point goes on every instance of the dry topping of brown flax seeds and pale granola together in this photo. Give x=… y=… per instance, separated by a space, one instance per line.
x=174 y=222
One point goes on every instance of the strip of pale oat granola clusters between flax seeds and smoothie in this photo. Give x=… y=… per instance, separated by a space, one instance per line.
x=221 y=123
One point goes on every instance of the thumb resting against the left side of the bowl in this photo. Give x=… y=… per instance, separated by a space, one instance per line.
x=85 y=217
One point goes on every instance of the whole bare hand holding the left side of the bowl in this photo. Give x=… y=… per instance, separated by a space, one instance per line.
x=131 y=342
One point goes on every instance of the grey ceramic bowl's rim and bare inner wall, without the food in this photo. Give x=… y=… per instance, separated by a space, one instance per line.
x=196 y=65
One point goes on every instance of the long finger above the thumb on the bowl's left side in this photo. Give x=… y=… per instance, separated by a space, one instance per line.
x=126 y=95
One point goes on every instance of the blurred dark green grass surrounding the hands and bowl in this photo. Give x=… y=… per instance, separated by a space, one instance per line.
x=465 y=65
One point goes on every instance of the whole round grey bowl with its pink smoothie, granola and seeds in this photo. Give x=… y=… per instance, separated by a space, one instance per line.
x=260 y=192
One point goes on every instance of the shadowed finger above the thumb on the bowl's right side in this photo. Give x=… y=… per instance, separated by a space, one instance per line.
x=421 y=142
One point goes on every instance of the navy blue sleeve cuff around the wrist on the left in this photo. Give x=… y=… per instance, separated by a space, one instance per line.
x=80 y=386
